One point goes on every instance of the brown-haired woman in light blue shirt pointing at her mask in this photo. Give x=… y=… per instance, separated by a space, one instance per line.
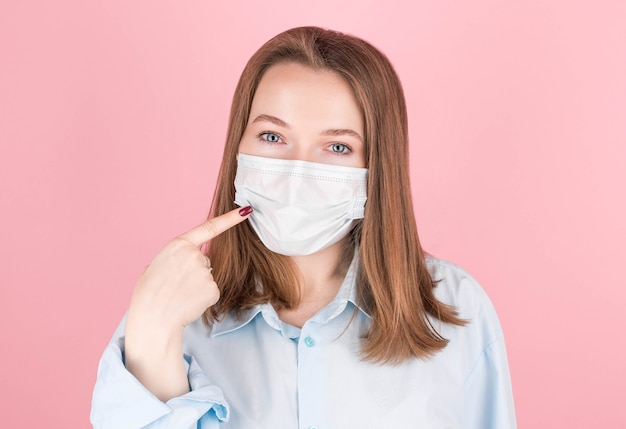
x=322 y=310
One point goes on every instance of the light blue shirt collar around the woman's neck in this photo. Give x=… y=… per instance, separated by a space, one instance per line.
x=347 y=294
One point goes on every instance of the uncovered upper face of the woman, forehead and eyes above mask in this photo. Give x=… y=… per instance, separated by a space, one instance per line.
x=300 y=113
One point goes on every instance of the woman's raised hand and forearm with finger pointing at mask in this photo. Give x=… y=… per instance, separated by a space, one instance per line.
x=173 y=291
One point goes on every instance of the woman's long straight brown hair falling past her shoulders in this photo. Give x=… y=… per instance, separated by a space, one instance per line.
x=394 y=285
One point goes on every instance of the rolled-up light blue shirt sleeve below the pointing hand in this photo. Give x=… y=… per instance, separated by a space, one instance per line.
x=120 y=401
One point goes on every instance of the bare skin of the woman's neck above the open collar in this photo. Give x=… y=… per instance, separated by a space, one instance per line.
x=321 y=275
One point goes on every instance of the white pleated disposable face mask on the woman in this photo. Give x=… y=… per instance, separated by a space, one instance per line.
x=300 y=207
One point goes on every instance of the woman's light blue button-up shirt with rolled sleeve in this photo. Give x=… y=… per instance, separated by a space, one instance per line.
x=259 y=372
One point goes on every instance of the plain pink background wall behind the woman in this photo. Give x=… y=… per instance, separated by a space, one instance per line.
x=112 y=120
